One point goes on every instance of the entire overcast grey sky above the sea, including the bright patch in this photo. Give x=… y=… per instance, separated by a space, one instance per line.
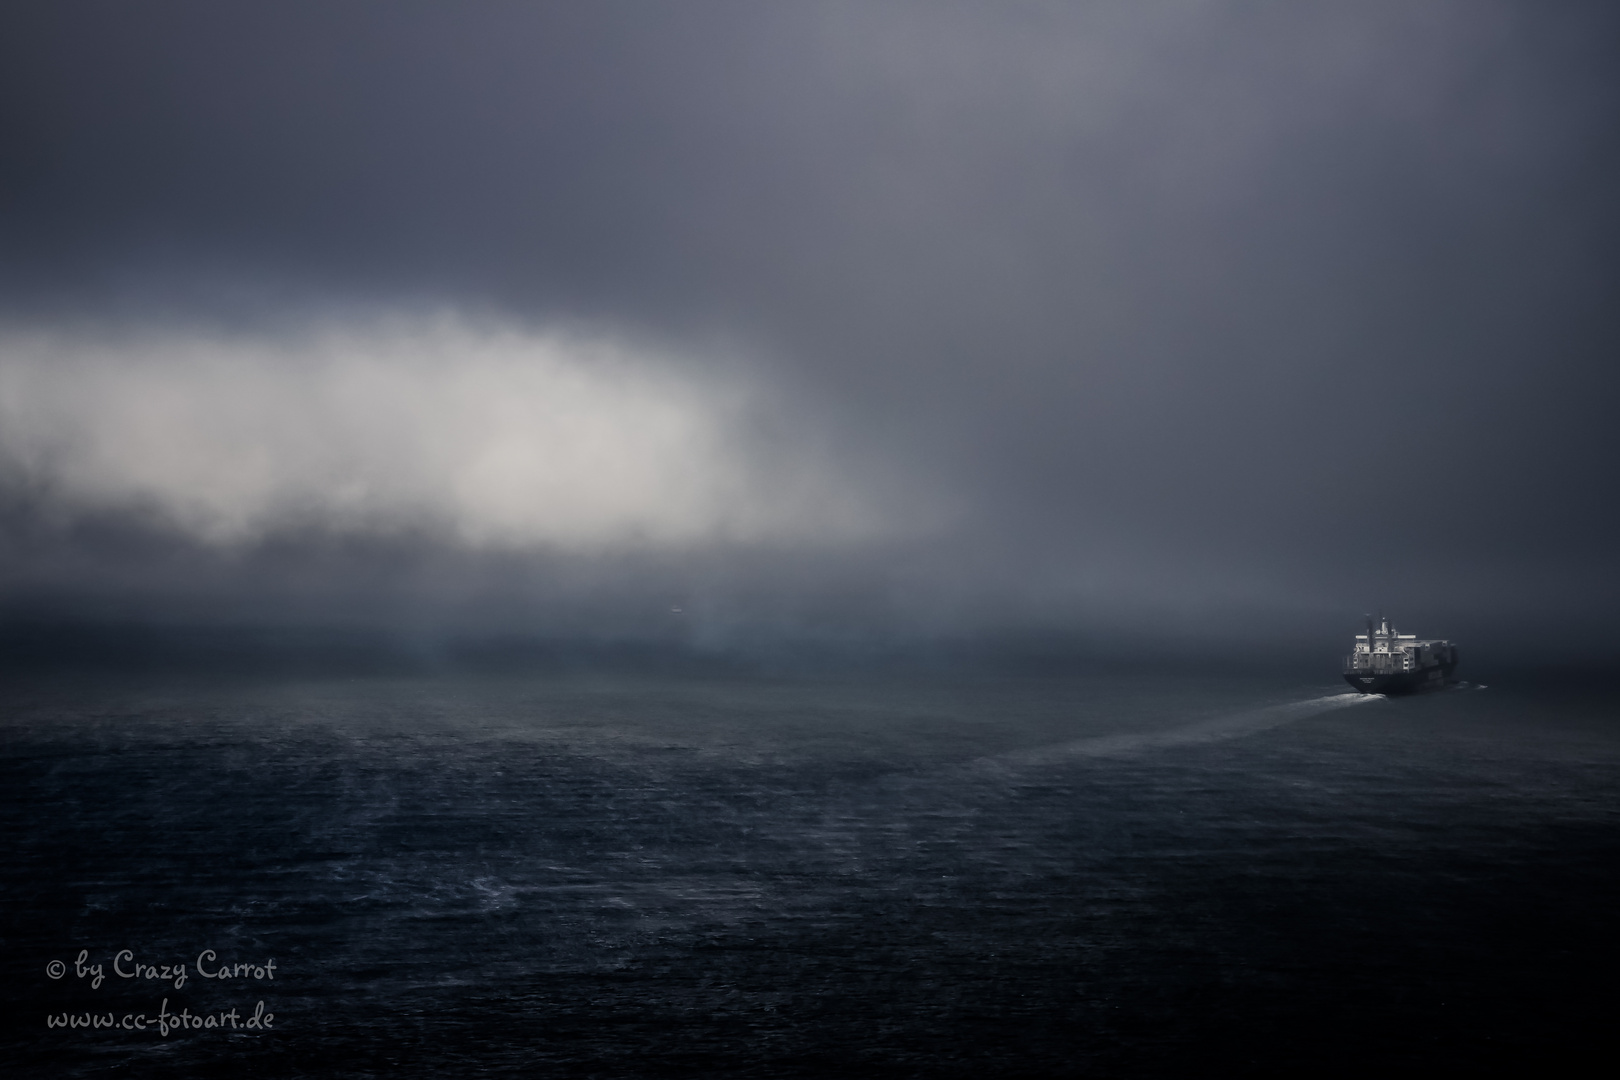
x=838 y=318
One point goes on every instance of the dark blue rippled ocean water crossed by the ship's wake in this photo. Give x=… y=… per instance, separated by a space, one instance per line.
x=615 y=875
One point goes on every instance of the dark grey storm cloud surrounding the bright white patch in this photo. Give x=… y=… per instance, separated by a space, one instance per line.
x=1177 y=308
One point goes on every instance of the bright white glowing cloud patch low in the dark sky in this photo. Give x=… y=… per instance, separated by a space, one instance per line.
x=492 y=436
